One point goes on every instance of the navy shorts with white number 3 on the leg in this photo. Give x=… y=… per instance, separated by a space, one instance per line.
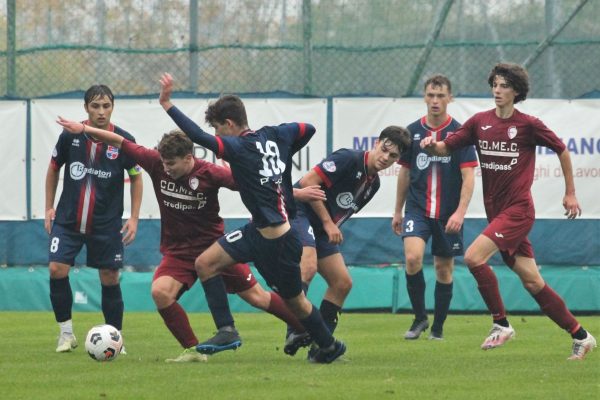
x=442 y=244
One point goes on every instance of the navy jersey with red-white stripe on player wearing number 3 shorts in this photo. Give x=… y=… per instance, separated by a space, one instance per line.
x=435 y=181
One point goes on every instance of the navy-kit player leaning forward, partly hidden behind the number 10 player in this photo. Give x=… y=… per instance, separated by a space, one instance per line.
x=350 y=179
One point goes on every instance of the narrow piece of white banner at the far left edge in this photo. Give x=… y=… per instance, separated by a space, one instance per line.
x=13 y=175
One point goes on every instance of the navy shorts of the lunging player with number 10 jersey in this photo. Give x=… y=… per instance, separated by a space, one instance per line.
x=277 y=260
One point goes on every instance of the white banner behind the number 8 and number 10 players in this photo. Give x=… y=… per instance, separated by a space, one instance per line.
x=146 y=121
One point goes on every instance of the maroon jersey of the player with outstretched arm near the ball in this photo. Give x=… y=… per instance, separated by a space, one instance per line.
x=189 y=206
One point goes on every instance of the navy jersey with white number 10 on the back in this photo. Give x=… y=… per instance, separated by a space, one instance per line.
x=259 y=162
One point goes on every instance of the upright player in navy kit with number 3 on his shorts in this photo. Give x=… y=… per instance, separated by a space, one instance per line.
x=437 y=191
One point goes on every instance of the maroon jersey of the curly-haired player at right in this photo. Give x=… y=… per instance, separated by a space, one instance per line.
x=506 y=149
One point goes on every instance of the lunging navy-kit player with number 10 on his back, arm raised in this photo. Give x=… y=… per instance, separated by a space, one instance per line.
x=260 y=163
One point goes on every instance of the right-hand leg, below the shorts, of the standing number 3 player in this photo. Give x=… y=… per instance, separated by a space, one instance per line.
x=442 y=294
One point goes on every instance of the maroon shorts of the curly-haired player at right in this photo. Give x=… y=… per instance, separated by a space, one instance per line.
x=509 y=230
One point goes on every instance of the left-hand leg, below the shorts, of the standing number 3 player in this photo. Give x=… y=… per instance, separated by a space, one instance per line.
x=414 y=248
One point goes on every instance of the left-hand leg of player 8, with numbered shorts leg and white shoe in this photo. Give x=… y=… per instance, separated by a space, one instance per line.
x=64 y=245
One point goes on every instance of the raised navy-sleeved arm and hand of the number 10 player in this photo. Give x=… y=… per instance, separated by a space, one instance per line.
x=189 y=127
